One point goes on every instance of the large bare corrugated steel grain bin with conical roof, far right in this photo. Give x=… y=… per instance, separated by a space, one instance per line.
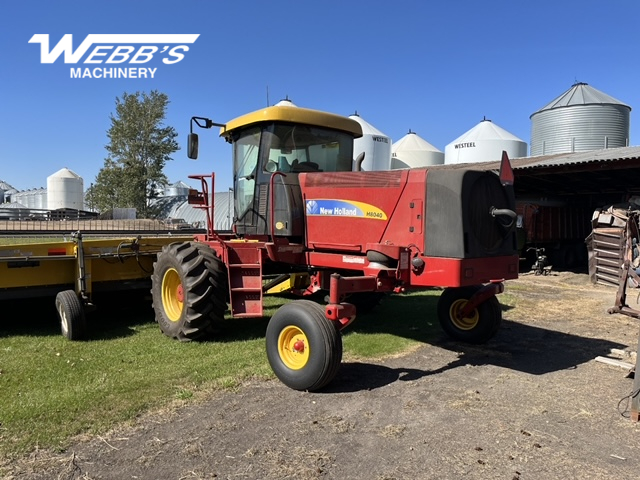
x=581 y=119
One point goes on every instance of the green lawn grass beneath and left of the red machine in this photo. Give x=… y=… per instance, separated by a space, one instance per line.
x=53 y=389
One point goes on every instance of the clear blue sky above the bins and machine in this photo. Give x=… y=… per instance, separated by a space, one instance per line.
x=436 y=68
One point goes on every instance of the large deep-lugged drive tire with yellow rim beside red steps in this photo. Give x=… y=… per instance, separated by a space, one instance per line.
x=183 y=292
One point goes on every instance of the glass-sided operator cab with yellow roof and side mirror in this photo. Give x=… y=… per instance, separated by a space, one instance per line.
x=270 y=148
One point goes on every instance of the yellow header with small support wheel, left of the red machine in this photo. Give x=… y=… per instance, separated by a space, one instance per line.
x=73 y=269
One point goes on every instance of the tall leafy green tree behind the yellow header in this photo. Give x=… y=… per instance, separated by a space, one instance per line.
x=140 y=146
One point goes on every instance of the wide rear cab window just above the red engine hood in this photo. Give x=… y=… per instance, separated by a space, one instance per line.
x=302 y=148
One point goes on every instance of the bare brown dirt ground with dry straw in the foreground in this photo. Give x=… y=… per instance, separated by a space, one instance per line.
x=533 y=403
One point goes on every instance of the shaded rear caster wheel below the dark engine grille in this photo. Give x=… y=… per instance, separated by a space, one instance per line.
x=481 y=324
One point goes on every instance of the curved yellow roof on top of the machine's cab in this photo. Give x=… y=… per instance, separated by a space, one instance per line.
x=298 y=115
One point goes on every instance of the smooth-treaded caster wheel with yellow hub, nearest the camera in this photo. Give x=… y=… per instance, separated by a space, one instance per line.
x=303 y=347
